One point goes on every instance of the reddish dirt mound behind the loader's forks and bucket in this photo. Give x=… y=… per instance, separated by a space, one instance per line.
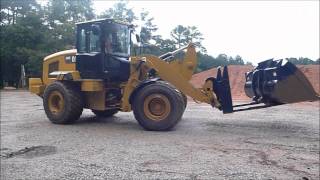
x=237 y=78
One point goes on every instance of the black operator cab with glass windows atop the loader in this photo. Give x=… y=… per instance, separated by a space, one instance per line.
x=103 y=50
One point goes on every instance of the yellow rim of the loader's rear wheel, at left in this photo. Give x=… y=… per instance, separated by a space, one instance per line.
x=55 y=102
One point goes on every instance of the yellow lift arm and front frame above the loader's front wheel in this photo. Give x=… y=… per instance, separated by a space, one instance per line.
x=178 y=73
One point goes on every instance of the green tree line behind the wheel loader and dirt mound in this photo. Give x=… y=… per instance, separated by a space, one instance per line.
x=30 y=31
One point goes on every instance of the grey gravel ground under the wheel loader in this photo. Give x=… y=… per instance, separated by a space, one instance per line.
x=275 y=143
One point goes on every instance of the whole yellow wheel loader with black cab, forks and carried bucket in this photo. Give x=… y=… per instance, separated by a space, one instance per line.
x=101 y=75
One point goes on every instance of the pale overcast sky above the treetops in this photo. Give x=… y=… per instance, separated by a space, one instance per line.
x=255 y=30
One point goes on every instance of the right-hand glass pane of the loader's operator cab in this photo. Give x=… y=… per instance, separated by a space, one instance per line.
x=117 y=40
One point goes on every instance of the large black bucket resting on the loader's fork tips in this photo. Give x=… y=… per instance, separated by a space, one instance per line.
x=278 y=82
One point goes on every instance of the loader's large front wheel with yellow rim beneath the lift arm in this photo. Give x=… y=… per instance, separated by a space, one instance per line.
x=158 y=106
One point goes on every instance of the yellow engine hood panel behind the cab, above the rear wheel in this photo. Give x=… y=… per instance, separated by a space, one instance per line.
x=58 y=58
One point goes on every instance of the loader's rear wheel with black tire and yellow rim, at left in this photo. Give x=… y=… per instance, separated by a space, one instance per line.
x=62 y=102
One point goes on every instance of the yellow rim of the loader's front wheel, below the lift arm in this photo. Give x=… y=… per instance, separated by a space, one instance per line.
x=156 y=107
